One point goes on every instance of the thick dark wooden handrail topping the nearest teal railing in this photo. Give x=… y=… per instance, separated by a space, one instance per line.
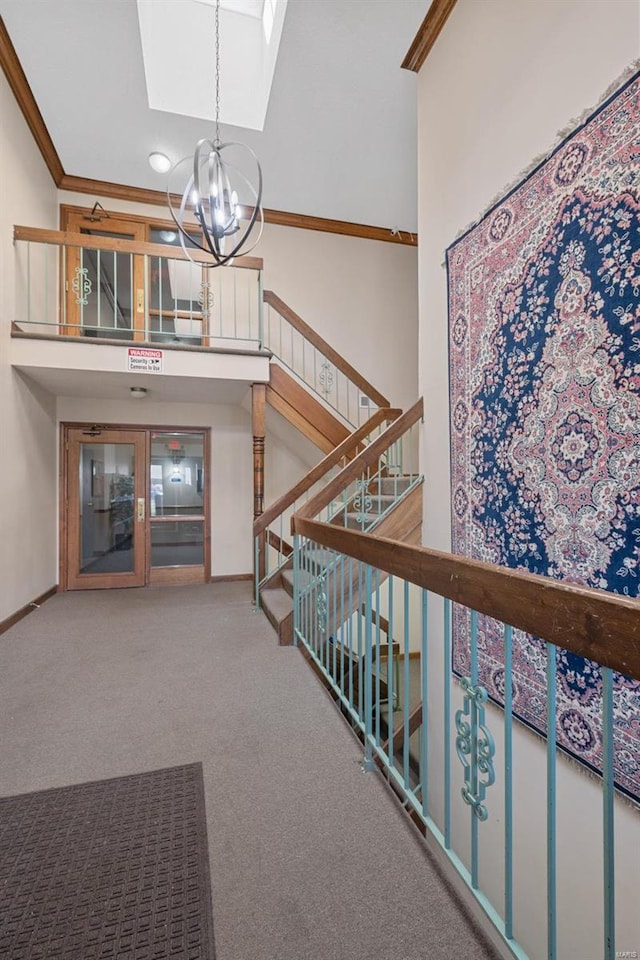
x=594 y=624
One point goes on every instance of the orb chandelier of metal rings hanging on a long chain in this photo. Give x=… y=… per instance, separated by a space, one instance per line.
x=210 y=196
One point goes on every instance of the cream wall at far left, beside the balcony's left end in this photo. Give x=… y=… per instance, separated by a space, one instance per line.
x=28 y=504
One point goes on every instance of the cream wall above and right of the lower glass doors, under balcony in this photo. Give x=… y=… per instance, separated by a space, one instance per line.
x=231 y=466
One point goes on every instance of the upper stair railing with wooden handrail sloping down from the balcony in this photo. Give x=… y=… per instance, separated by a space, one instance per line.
x=305 y=354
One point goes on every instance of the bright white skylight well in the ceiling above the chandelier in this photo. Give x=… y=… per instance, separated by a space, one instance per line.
x=178 y=53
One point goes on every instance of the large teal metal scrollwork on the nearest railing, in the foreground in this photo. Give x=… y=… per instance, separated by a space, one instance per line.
x=475 y=747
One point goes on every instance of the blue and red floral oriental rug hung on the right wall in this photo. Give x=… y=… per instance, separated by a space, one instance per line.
x=544 y=323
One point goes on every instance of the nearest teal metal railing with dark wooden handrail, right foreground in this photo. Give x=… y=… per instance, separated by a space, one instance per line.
x=449 y=753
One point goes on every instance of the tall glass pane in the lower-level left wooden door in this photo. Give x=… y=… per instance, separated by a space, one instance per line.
x=106 y=507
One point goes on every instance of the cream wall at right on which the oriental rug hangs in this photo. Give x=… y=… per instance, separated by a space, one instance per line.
x=502 y=79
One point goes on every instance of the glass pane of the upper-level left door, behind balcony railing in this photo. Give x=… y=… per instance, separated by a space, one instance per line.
x=106 y=294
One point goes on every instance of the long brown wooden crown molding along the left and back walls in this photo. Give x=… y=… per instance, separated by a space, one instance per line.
x=120 y=191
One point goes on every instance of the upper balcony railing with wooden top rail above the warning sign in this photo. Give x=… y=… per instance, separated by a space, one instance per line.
x=115 y=289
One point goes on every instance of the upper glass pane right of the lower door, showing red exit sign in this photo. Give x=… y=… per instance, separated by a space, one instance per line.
x=177 y=474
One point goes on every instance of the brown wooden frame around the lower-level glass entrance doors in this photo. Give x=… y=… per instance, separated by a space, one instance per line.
x=168 y=575
